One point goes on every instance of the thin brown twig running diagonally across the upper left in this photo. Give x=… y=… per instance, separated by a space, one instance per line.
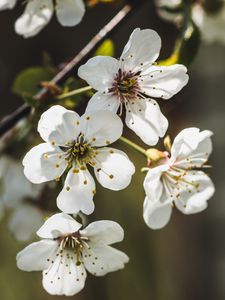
x=7 y=123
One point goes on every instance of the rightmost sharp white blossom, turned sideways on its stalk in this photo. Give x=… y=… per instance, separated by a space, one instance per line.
x=177 y=179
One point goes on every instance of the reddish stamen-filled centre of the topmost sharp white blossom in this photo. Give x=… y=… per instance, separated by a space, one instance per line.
x=125 y=85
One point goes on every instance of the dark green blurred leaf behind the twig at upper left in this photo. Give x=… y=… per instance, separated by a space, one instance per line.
x=28 y=81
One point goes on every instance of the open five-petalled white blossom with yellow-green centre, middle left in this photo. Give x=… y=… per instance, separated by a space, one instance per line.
x=73 y=142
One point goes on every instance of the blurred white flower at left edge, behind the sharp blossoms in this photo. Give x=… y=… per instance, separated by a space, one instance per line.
x=15 y=191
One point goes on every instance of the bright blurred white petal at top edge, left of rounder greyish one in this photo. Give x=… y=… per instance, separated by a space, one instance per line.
x=37 y=14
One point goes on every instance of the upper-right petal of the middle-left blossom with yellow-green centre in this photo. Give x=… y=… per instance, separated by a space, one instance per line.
x=101 y=128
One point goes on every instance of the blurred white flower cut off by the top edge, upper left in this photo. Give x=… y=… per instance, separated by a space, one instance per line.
x=38 y=13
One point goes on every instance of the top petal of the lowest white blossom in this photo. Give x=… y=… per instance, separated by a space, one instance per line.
x=57 y=225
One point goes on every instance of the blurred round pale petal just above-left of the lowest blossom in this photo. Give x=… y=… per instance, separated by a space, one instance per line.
x=25 y=221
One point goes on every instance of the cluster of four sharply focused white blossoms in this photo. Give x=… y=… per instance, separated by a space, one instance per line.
x=75 y=148
